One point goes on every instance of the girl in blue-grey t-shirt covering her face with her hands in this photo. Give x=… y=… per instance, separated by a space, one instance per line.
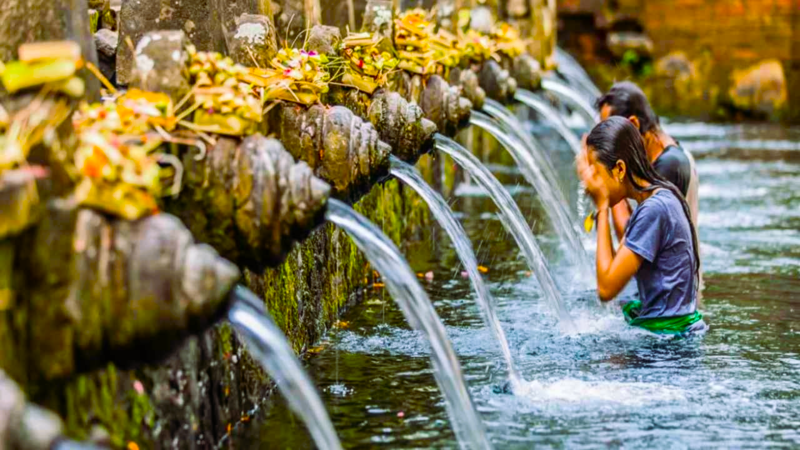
x=659 y=245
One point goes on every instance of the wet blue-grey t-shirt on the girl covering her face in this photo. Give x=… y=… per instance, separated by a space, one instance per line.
x=659 y=232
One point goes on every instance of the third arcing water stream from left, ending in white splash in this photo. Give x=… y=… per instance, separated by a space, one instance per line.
x=444 y=215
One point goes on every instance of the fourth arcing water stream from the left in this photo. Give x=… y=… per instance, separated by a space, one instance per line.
x=514 y=222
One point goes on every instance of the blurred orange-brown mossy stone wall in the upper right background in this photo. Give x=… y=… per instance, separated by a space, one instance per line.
x=710 y=57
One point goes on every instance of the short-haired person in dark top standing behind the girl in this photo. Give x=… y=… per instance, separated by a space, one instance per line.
x=669 y=159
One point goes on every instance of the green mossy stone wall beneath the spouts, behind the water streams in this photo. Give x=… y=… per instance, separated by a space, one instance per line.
x=209 y=387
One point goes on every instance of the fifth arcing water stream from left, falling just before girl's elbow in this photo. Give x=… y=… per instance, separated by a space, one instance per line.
x=554 y=207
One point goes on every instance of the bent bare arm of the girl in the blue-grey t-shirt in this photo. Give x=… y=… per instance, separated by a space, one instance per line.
x=614 y=271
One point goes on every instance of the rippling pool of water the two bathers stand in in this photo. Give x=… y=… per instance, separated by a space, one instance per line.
x=609 y=385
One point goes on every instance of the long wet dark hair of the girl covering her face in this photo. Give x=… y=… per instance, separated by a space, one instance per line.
x=618 y=139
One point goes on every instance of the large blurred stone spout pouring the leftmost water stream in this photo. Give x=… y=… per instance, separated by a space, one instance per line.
x=97 y=290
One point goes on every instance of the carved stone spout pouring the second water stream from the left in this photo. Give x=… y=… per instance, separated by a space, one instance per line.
x=250 y=200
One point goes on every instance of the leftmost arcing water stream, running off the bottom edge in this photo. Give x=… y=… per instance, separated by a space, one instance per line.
x=267 y=344
